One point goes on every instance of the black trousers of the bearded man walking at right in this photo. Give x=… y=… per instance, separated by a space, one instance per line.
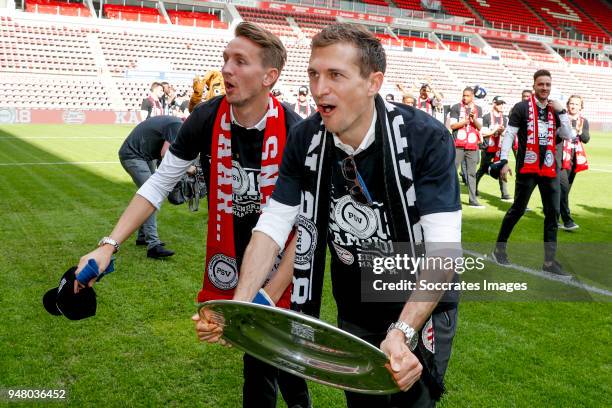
x=550 y=194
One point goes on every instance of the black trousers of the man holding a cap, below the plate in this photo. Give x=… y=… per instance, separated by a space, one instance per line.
x=260 y=386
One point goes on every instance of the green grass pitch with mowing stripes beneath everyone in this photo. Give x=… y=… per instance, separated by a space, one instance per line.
x=62 y=188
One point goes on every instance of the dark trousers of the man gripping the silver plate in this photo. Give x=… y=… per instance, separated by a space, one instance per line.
x=418 y=396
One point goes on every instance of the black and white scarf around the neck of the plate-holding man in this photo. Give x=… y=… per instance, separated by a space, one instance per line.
x=313 y=219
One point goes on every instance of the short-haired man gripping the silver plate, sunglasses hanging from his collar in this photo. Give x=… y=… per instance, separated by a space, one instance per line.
x=364 y=171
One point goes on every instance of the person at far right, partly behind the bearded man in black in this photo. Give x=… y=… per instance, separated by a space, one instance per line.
x=573 y=158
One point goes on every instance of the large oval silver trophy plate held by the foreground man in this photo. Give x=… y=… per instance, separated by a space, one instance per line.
x=304 y=346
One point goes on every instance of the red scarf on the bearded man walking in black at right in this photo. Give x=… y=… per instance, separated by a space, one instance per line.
x=531 y=162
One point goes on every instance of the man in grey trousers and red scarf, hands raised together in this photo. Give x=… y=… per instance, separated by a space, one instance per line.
x=465 y=122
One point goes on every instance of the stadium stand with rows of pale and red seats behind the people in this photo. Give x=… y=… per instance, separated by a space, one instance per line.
x=111 y=57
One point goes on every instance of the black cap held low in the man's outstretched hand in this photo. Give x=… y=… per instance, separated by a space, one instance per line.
x=63 y=301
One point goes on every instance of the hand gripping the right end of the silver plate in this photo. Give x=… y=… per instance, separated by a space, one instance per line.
x=403 y=364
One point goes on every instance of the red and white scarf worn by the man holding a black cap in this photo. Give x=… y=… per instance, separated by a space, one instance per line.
x=221 y=270
